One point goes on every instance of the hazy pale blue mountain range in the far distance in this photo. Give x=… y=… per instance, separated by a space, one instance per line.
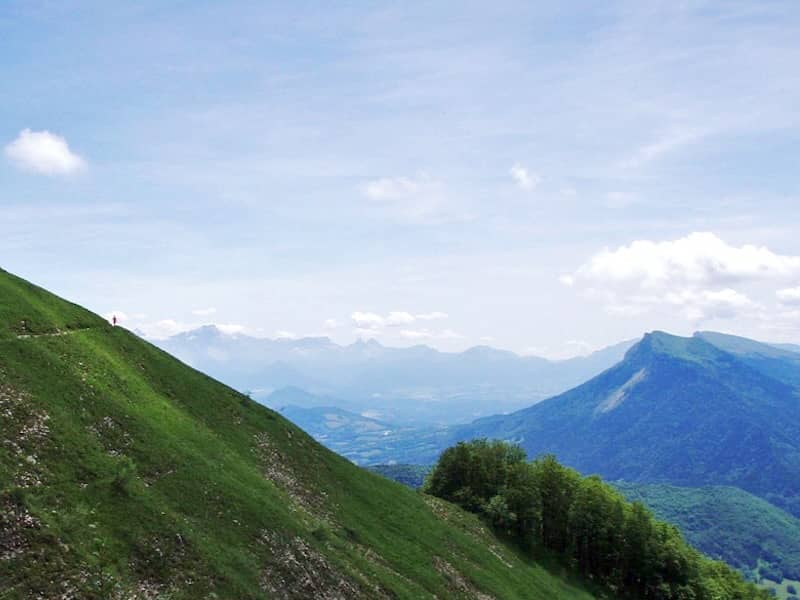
x=417 y=385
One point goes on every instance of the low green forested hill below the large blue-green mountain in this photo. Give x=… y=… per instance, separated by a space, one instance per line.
x=727 y=523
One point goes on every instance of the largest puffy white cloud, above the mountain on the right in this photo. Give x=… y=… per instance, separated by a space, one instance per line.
x=699 y=259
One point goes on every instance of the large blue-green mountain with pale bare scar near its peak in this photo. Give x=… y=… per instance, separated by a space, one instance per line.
x=675 y=410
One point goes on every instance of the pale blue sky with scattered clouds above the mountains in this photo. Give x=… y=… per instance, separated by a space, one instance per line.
x=548 y=178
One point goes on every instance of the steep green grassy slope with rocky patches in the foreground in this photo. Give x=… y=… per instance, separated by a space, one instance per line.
x=124 y=473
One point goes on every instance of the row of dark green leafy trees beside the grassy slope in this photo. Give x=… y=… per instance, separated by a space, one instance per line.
x=586 y=523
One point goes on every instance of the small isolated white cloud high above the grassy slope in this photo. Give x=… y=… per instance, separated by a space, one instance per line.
x=43 y=152
